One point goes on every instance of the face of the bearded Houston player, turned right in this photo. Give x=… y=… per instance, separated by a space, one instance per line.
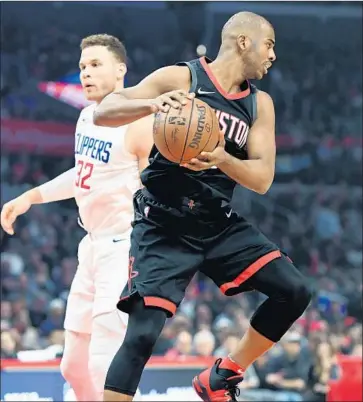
x=259 y=54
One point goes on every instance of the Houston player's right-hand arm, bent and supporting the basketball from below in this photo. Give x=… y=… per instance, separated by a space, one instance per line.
x=256 y=173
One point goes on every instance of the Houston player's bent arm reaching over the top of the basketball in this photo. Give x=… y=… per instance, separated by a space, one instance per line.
x=164 y=88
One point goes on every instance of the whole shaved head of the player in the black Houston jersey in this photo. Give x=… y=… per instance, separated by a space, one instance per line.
x=251 y=38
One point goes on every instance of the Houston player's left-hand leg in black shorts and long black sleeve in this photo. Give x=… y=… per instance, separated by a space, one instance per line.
x=161 y=267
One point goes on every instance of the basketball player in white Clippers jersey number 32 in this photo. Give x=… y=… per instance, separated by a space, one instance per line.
x=105 y=176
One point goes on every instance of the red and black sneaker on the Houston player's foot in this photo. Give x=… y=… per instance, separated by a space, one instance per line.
x=219 y=383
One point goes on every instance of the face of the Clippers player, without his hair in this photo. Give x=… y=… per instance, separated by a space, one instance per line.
x=100 y=72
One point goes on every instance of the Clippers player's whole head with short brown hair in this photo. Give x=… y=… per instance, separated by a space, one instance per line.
x=102 y=65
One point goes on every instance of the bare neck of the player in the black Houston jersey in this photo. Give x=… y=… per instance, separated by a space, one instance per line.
x=228 y=72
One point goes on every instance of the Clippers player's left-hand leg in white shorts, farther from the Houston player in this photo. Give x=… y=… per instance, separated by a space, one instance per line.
x=78 y=325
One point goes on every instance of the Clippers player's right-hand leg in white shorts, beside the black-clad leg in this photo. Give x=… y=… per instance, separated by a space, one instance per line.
x=108 y=324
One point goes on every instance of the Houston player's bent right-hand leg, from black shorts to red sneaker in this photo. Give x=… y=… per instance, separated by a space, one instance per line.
x=243 y=259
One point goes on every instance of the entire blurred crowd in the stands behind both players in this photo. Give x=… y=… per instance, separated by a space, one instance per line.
x=313 y=211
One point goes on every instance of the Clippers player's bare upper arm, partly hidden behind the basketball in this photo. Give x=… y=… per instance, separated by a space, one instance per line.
x=139 y=140
